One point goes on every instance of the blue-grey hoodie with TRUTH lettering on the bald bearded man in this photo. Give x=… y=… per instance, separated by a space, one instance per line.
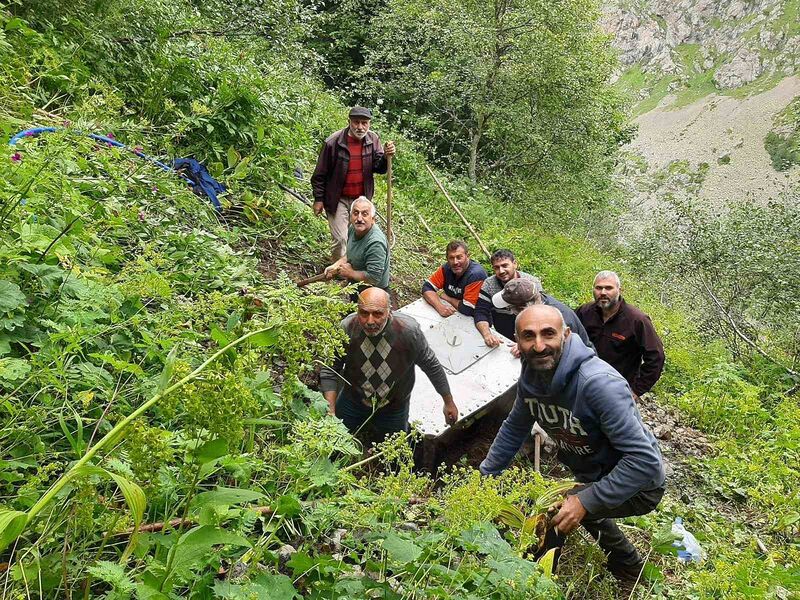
x=589 y=412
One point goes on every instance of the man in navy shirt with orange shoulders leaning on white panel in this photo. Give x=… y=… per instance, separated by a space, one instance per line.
x=455 y=286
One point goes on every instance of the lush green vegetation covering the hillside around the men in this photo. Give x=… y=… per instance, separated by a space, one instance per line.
x=160 y=435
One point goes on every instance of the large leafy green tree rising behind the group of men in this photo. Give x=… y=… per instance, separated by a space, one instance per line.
x=500 y=86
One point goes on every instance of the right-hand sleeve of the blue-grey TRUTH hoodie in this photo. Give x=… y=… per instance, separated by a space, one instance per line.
x=641 y=466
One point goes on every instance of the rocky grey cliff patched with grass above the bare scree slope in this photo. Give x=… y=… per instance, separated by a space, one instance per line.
x=735 y=42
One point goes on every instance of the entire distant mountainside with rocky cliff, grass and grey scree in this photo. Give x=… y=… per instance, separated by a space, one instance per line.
x=716 y=100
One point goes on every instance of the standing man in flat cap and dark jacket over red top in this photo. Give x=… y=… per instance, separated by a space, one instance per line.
x=344 y=172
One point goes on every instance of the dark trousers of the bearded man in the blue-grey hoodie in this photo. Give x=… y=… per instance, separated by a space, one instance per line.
x=604 y=530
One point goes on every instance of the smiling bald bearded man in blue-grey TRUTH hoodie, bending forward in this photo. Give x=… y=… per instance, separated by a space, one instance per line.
x=586 y=407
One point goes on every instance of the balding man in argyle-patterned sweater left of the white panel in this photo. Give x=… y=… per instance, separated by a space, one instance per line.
x=372 y=382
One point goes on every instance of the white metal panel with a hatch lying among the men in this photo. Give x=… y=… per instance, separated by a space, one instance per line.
x=489 y=375
